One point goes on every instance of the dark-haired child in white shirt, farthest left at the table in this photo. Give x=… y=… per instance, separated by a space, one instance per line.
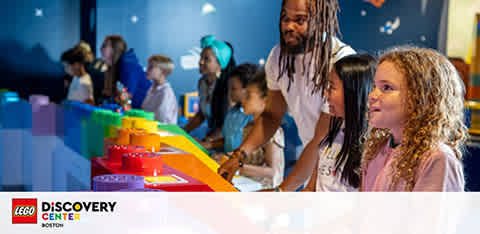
x=81 y=88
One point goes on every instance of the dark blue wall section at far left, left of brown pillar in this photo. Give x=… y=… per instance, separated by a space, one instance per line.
x=31 y=45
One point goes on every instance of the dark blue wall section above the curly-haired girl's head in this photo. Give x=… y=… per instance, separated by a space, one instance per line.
x=418 y=26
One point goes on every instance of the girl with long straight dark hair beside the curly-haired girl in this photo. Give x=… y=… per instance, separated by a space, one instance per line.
x=338 y=164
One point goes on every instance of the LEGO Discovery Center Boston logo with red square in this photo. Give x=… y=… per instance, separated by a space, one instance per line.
x=55 y=213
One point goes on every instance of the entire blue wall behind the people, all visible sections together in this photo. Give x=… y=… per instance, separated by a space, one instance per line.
x=31 y=45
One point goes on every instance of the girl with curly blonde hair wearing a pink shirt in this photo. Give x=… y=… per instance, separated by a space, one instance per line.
x=416 y=111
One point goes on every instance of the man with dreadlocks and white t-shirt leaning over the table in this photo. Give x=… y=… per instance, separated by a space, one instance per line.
x=297 y=72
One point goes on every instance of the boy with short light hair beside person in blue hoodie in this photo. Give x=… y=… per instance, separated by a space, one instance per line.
x=160 y=97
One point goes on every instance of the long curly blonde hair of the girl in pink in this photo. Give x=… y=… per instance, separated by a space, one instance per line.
x=434 y=106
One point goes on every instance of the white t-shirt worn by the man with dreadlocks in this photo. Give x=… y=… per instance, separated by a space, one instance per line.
x=304 y=107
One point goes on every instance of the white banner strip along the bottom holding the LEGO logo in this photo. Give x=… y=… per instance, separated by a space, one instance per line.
x=157 y=212
